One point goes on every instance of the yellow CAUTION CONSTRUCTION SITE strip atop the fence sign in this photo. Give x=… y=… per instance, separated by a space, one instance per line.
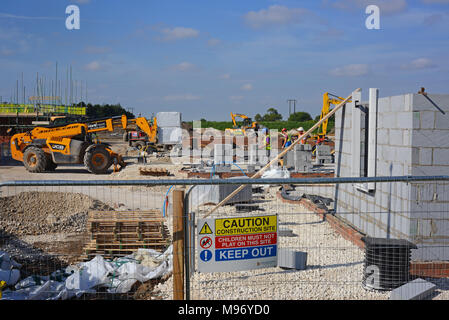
x=247 y=225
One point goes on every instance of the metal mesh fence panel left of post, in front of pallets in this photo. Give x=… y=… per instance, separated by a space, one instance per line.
x=87 y=242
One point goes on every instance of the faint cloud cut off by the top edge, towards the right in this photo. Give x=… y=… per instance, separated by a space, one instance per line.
x=385 y=6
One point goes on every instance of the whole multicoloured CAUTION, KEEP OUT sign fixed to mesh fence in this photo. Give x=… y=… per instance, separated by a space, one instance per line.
x=237 y=244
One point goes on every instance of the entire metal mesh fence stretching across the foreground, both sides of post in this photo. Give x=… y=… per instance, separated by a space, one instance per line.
x=346 y=239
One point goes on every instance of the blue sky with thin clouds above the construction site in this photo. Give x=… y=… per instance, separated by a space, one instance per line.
x=209 y=58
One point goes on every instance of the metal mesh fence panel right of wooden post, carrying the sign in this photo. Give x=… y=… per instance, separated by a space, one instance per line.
x=334 y=241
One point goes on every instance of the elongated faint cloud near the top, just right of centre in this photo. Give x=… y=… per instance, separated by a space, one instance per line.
x=274 y=15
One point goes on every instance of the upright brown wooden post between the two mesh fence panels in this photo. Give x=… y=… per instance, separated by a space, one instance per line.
x=178 y=244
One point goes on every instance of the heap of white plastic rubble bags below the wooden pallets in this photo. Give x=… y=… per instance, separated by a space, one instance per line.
x=116 y=276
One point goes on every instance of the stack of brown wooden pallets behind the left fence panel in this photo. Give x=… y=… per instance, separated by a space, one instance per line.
x=120 y=233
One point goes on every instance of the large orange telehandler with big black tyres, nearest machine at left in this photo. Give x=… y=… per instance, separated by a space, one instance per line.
x=43 y=148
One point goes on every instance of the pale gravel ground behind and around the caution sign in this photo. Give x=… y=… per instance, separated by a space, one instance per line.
x=334 y=265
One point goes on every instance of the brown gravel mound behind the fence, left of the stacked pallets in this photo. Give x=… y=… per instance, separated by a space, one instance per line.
x=36 y=213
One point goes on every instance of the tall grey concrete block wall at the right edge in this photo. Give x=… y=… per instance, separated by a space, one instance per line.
x=412 y=139
